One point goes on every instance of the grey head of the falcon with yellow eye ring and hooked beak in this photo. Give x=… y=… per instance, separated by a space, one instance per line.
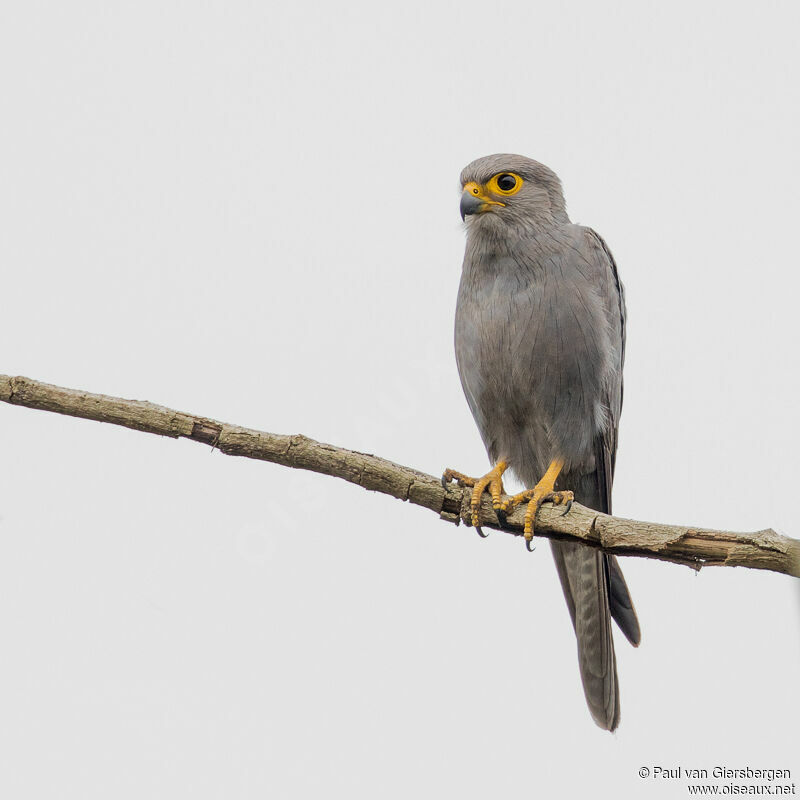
x=506 y=189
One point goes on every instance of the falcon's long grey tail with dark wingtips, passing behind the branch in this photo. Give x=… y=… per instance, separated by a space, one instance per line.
x=595 y=591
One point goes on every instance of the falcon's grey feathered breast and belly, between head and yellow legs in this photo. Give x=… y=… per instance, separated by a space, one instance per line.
x=538 y=346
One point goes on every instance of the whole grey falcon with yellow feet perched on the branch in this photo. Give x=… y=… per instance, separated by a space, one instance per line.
x=540 y=346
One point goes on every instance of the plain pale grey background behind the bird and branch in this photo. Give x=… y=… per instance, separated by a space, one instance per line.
x=250 y=211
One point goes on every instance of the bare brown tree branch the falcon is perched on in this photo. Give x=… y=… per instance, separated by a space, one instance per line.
x=694 y=547
